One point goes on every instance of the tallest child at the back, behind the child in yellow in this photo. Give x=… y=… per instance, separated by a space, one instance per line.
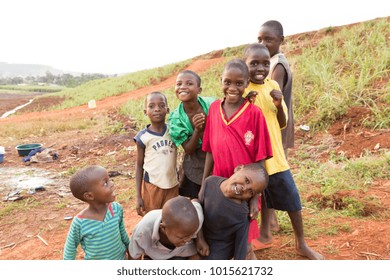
x=271 y=35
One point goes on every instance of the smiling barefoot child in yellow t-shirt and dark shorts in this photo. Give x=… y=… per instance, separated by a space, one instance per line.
x=281 y=193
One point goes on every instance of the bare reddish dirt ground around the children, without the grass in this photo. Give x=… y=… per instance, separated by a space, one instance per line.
x=40 y=234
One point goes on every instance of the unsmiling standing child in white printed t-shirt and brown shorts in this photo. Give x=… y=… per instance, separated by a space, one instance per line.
x=156 y=175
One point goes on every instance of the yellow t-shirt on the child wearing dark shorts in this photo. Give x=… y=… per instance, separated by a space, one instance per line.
x=278 y=162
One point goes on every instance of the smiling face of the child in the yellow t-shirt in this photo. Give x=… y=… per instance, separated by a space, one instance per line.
x=258 y=63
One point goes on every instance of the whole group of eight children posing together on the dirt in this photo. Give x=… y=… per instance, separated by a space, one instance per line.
x=234 y=166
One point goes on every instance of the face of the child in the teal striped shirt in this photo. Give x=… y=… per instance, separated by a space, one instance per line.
x=101 y=186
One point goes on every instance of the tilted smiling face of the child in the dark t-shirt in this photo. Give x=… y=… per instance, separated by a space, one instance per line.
x=245 y=183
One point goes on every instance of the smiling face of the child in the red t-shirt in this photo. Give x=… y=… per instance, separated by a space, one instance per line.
x=234 y=83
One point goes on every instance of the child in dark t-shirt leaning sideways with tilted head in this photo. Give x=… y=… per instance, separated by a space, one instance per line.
x=226 y=213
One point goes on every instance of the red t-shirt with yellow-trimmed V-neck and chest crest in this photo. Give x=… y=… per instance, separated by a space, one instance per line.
x=242 y=139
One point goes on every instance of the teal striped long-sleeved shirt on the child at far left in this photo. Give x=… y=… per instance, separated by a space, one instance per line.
x=100 y=240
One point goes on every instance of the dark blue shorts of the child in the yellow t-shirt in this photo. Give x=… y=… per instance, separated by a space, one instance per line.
x=282 y=193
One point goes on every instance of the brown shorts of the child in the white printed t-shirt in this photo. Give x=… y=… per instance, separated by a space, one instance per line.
x=155 y=197
